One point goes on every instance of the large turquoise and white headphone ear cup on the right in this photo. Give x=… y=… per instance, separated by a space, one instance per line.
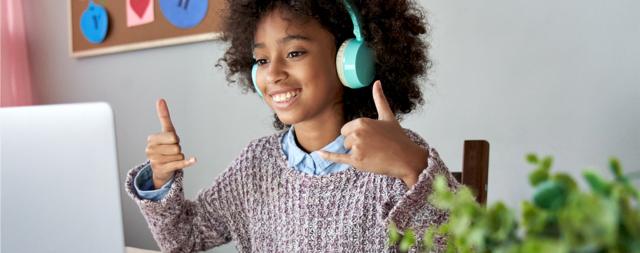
x=355 y=64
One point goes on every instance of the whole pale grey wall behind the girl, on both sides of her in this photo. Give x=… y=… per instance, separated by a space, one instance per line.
x=553 y=77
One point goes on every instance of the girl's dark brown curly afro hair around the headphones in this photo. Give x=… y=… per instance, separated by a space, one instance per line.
x=394 y=29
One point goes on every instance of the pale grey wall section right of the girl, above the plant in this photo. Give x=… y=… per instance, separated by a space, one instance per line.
x=553 y=77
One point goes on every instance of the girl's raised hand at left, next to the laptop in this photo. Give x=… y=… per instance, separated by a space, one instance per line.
x=163 y=149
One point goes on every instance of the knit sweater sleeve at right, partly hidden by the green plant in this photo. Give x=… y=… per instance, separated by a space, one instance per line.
x=411 y=209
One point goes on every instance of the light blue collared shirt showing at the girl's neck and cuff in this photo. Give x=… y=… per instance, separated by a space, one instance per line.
x=311 y=164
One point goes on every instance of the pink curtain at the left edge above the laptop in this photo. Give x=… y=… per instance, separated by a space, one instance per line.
x=15 y=81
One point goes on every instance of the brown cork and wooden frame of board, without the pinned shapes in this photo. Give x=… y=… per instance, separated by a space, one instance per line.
x=121 y=38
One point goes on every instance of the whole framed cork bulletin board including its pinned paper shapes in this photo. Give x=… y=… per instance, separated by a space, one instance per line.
x=158 y=30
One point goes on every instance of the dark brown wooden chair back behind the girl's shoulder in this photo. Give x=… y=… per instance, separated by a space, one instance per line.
x=475 y=168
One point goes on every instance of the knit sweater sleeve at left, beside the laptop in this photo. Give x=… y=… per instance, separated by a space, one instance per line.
x=182 y=225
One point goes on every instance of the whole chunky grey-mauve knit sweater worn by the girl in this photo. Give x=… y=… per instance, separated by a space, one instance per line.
x=266 y=206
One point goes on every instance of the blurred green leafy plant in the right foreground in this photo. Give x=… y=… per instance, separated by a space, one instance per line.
x=560 y=217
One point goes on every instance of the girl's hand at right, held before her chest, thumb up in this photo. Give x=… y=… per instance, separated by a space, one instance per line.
x=381 y=146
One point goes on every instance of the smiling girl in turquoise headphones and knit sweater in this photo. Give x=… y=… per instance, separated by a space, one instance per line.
x=339 y=170
